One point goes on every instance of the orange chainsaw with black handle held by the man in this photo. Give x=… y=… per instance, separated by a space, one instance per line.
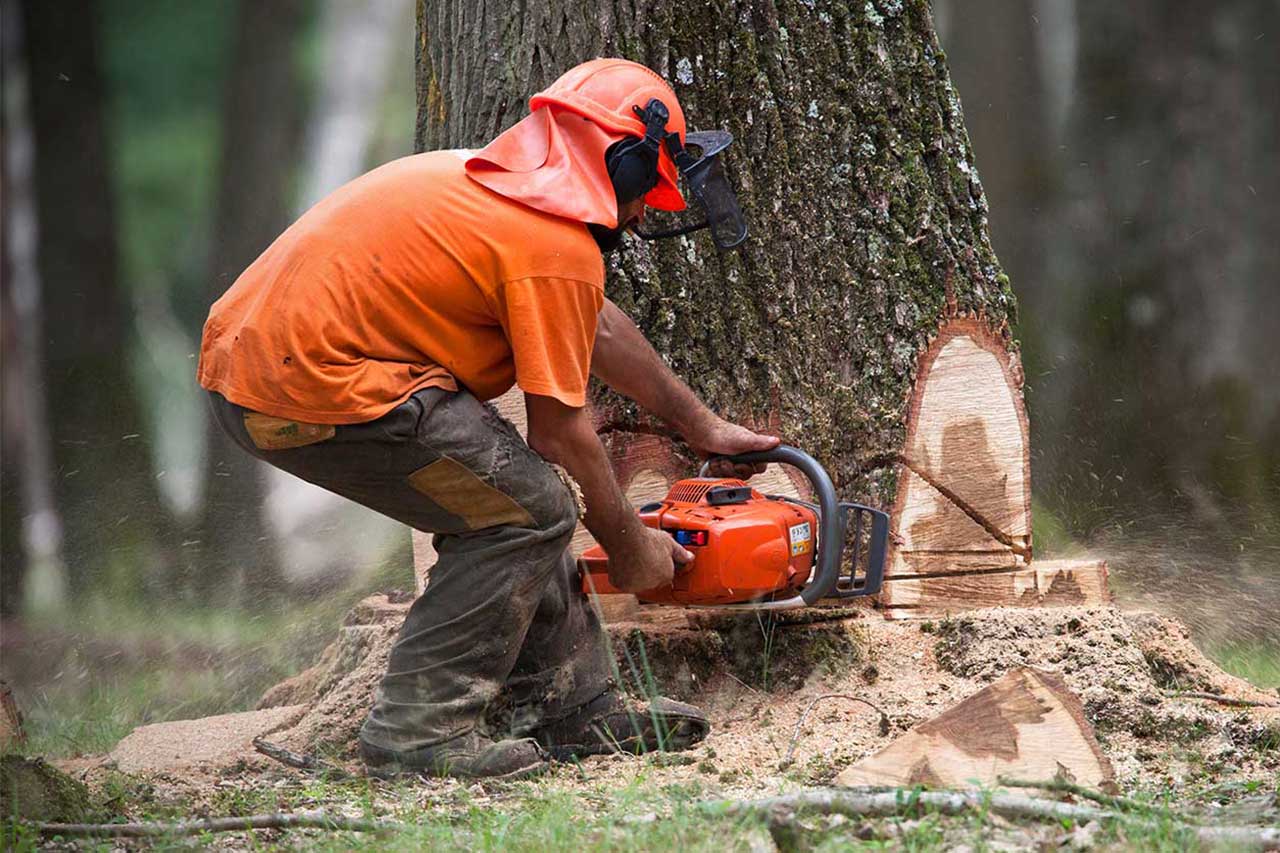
x=756 y=551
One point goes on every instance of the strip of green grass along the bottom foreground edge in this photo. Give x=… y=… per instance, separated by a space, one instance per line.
x=641 y=815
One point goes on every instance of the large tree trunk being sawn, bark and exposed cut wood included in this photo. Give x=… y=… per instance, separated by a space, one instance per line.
x=866 y=320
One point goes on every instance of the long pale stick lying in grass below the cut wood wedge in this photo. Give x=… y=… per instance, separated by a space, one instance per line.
x=903 y=802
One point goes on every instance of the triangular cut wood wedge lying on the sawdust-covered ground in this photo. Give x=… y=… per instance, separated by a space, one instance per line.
x=1028 y=724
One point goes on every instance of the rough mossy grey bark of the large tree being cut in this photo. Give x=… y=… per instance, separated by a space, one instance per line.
x=868 y=221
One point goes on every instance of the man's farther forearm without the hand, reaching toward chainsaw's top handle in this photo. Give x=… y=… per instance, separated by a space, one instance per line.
x=624 y=361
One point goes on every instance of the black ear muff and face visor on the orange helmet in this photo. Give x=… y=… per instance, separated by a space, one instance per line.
x=633 y=166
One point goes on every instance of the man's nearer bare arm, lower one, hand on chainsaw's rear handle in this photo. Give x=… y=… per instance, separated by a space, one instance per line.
x=639 y=556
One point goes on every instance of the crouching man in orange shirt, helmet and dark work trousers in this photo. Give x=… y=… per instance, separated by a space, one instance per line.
x=358 y=350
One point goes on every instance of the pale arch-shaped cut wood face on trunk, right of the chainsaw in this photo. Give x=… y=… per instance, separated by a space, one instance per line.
x=964 y=490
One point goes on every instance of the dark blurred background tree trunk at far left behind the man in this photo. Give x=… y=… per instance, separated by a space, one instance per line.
x=116 y=524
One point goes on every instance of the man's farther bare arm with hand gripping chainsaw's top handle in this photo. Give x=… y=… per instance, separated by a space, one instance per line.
x=624 y=361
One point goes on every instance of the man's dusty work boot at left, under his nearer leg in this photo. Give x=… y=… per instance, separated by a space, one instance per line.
x=470 y=756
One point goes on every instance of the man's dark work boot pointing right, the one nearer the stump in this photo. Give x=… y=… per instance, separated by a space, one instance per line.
x=616 y=723
